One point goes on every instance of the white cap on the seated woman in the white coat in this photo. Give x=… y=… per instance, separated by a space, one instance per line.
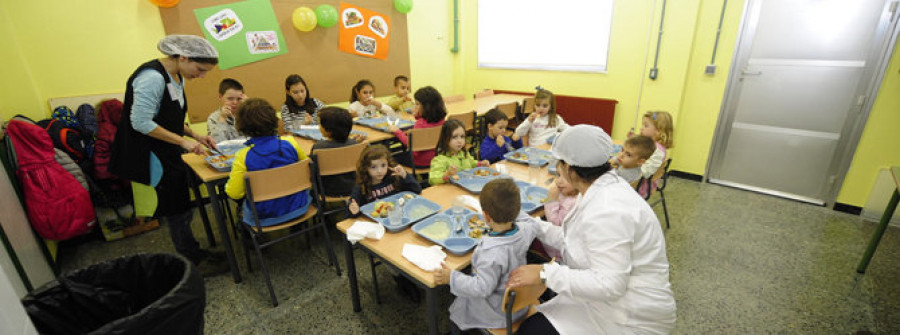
x=583 y=145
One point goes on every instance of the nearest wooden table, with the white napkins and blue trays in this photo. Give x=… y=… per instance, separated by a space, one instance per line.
x=390 y=247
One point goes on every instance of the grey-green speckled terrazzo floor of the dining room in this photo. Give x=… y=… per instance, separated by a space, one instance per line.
x=741 y=262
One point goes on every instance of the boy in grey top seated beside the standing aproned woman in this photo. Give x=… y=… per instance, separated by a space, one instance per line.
x=220 y=124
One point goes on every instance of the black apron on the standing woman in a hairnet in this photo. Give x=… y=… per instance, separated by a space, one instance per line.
x=131 y=149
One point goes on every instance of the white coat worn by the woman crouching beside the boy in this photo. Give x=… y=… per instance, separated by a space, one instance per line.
x=616 y=276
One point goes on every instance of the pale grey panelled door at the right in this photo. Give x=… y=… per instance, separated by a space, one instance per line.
x=799 y=82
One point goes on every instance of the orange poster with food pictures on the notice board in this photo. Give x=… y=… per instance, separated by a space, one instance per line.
x=363 y=32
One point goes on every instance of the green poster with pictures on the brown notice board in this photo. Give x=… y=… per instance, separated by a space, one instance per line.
x=243 y=32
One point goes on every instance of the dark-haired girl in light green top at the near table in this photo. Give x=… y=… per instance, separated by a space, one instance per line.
x=451 y=156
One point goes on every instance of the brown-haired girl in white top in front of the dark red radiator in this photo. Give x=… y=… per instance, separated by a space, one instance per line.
x=544 y=121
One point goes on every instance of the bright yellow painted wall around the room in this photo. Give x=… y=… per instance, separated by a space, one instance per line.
x=98 y=52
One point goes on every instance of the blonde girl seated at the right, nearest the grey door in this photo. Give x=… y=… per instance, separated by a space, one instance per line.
x=657 y=125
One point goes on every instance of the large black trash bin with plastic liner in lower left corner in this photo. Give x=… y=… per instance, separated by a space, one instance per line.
x=139 y=294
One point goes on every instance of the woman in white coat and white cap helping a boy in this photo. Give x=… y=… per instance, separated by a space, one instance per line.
x=616 y=276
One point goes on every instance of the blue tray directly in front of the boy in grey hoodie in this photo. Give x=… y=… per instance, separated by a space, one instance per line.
x=457 y=243
